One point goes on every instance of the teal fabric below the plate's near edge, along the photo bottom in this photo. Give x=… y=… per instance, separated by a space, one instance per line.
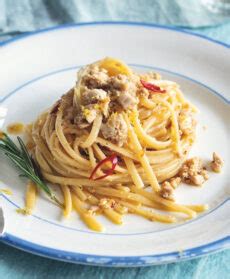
x=15 y=264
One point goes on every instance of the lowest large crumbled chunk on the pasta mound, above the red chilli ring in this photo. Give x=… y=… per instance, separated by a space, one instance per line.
x=115 y=129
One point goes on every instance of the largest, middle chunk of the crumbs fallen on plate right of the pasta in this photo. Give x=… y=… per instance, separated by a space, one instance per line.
x=193 y=172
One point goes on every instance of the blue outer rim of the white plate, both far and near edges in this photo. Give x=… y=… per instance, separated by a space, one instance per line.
x=80 y=258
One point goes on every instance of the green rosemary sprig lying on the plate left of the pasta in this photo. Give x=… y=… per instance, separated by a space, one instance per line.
x=29 y=169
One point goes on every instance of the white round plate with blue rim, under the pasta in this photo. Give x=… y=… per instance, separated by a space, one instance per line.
x=37 y=69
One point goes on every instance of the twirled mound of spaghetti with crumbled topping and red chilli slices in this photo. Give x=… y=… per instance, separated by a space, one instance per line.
x=112 y=140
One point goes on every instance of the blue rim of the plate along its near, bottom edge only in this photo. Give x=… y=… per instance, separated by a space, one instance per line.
x=116 y=261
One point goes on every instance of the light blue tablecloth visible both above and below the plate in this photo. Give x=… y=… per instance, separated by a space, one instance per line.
x=28 y=15
